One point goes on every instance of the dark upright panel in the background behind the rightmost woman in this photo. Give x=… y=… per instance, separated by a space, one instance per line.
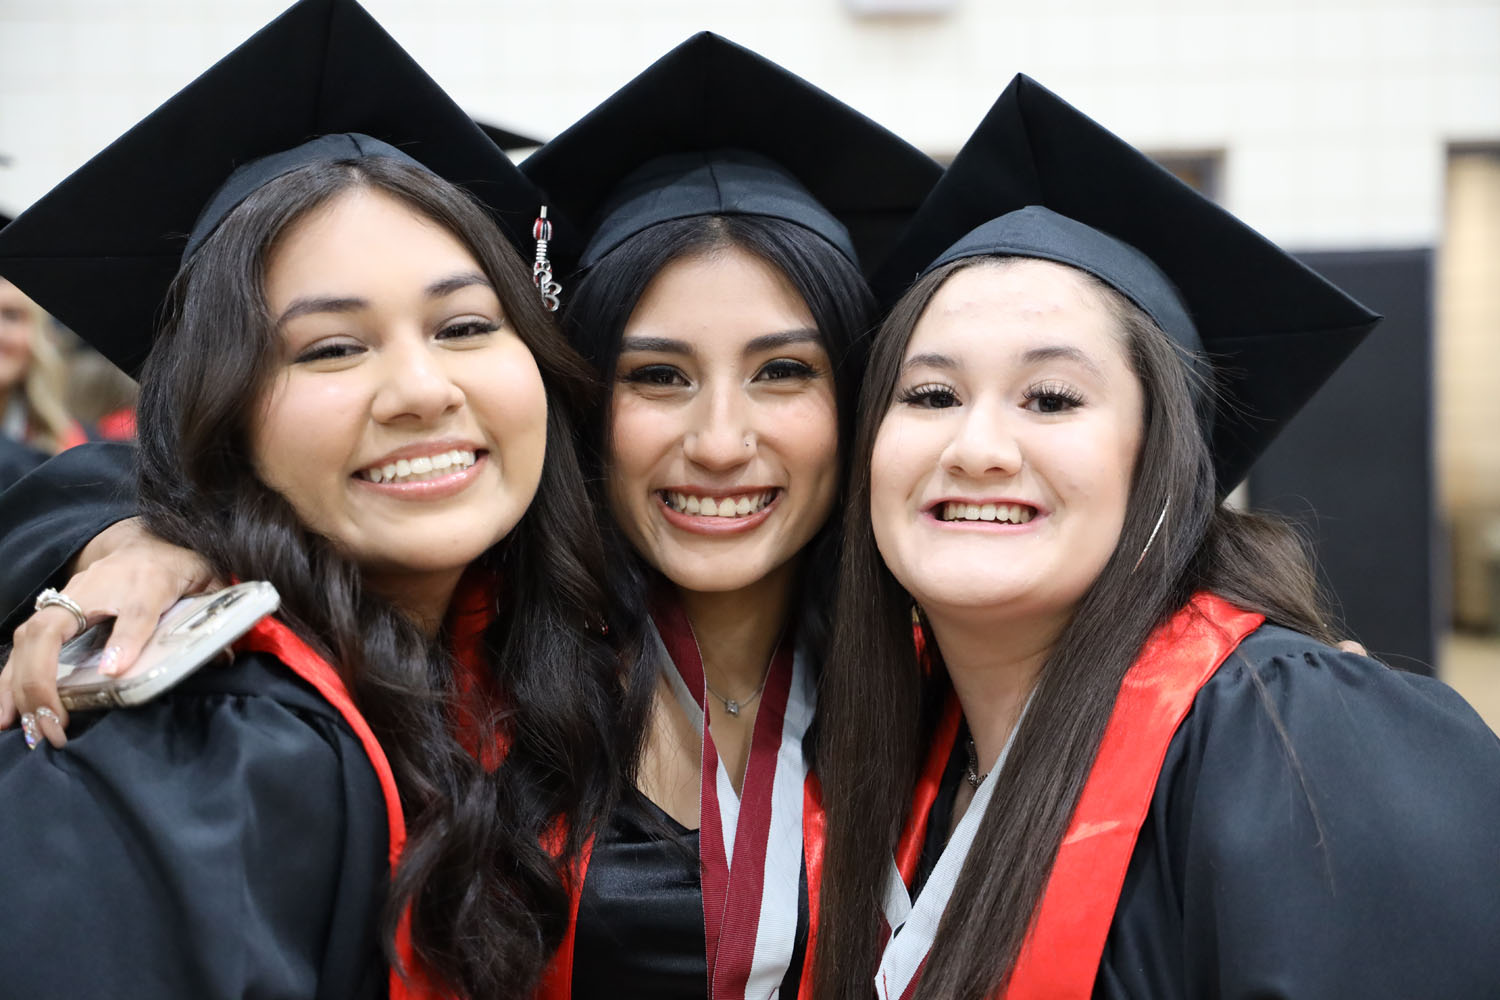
x=1357 y=467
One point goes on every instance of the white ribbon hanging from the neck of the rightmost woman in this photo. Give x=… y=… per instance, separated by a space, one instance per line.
x=914 y=933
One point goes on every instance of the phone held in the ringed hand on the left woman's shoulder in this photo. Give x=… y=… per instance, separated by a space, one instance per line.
x=190 y=635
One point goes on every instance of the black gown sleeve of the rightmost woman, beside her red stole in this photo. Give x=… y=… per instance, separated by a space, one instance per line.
x=1324 y=827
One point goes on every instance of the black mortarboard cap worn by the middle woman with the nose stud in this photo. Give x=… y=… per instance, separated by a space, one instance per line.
x=713 y=128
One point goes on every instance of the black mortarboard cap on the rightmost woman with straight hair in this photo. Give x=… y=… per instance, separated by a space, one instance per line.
x=1037 y=169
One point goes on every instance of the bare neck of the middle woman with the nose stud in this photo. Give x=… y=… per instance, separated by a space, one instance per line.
x=737 y=630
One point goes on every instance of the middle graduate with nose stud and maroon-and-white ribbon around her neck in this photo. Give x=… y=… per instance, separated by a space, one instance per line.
x=719 y=295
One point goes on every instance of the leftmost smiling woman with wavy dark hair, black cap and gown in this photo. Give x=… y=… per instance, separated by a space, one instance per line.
x=356 y=395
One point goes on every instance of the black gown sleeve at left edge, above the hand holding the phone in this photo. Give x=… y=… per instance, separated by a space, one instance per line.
x=50 y=515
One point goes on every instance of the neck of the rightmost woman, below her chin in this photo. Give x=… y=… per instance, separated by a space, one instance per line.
x=994 y=666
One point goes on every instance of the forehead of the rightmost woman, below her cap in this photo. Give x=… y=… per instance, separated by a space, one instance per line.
x=1007 y=307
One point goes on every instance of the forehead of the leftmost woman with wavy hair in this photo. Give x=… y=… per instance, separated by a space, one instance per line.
x=361 y=239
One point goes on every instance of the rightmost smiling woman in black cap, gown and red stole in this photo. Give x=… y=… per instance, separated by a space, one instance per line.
x=1139 y=768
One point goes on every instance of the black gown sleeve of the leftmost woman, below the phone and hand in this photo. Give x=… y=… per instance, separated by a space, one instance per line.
x=227 y=840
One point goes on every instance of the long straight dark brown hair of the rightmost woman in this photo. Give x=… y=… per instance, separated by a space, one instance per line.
x=880 y=710
